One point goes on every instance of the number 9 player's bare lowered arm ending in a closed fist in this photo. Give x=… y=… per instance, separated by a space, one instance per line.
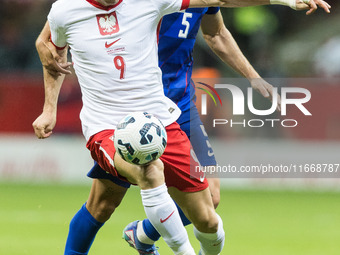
x=45 y=123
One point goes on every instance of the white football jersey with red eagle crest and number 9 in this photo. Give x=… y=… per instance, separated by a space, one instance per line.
x=114 y=50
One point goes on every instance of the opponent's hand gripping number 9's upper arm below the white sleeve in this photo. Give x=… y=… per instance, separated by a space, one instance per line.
x=51 y=60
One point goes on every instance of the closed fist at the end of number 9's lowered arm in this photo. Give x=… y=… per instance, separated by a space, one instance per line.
x=44 y=125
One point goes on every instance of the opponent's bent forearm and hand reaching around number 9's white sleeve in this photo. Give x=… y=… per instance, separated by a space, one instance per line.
x=49 y=57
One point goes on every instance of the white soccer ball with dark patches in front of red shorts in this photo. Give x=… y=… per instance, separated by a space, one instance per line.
x=140 y=138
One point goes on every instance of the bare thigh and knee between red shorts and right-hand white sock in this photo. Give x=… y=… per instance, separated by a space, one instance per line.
x=198 y=207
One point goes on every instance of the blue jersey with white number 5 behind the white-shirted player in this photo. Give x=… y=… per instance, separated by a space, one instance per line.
x=177 y=36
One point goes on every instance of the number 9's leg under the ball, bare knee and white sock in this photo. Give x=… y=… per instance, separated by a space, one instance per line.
x=159 y=207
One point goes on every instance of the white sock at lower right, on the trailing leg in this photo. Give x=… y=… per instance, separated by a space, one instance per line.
x=211 y=243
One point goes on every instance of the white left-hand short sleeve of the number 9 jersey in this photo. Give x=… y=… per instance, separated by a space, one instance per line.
x=58 y=37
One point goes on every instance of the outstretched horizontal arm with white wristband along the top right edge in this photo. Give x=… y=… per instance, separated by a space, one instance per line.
x=310 y=5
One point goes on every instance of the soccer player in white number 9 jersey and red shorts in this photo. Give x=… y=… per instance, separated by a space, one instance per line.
x=131 y=50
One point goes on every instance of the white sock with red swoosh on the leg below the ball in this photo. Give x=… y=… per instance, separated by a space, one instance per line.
x=163 y=215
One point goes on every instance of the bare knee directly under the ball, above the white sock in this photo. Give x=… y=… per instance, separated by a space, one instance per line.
x=151 y=175
